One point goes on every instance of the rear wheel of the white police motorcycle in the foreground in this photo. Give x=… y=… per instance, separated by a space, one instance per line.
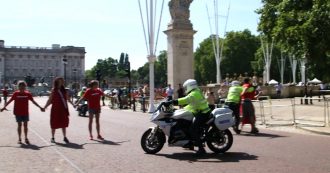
x=219 y=141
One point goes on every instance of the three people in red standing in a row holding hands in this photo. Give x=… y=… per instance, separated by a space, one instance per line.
x=59 y=114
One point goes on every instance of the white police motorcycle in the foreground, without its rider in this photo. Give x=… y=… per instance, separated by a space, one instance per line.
x=174 y=125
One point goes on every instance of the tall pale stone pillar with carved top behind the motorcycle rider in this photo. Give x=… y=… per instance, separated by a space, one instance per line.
x=180 y=35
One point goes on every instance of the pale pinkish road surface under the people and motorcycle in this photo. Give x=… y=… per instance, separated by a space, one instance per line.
x=270 y=151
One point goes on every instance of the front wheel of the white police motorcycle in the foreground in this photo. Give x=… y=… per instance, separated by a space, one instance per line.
x=152 y=143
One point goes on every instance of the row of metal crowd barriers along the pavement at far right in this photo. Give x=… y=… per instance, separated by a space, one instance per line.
x=272 y=113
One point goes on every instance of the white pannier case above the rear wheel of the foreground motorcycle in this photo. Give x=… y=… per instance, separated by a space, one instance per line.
x=223 y=118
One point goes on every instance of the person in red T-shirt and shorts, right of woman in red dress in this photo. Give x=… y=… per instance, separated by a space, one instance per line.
x=93 y=96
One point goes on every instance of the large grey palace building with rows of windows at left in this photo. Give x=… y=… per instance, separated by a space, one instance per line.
x=41 y=63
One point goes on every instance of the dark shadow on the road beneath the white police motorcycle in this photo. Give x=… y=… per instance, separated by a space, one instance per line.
x=209 y=157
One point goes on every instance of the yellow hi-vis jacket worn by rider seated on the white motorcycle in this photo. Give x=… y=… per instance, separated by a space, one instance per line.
x=195 y=101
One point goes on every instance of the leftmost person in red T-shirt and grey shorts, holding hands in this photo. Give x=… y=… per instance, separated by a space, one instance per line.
x=21 y=109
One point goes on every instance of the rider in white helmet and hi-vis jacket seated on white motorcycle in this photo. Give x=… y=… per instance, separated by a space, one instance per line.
x=196 y=104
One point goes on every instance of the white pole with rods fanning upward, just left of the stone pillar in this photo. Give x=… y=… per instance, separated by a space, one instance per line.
x=151 y=41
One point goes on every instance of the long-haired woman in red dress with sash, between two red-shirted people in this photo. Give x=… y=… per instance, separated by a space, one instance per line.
x=59 y=116
